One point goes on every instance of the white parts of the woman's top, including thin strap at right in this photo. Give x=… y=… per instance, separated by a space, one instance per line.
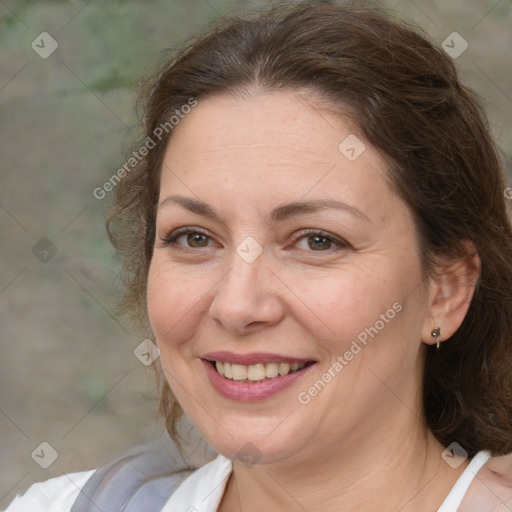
x=202 y=490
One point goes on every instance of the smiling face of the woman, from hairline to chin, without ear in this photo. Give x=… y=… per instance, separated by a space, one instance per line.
x=298 y=252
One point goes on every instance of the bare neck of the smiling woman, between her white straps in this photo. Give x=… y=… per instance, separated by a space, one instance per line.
x=393 y=469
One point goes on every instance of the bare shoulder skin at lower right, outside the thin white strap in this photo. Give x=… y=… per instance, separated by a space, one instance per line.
x=491 y=489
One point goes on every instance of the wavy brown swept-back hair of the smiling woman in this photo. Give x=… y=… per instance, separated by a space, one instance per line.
x=407 y=100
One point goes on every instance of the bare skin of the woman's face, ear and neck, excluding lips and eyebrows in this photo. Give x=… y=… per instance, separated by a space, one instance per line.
x=302 y=297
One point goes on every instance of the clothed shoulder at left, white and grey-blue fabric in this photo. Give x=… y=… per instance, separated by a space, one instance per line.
x=144 y=476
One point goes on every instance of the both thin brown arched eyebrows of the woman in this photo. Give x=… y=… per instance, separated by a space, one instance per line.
x=278 y=214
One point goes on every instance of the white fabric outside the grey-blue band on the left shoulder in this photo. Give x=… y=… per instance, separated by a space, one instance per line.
x=56 y=494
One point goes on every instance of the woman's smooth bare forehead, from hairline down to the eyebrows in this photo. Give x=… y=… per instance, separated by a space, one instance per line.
x=270 y=145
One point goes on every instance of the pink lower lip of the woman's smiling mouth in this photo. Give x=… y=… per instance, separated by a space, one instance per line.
x=251 y=391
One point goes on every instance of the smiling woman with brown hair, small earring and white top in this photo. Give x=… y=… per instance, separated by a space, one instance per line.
x=318 y=240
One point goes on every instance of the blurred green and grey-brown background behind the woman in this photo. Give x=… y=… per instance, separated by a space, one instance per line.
x=68 y=374
